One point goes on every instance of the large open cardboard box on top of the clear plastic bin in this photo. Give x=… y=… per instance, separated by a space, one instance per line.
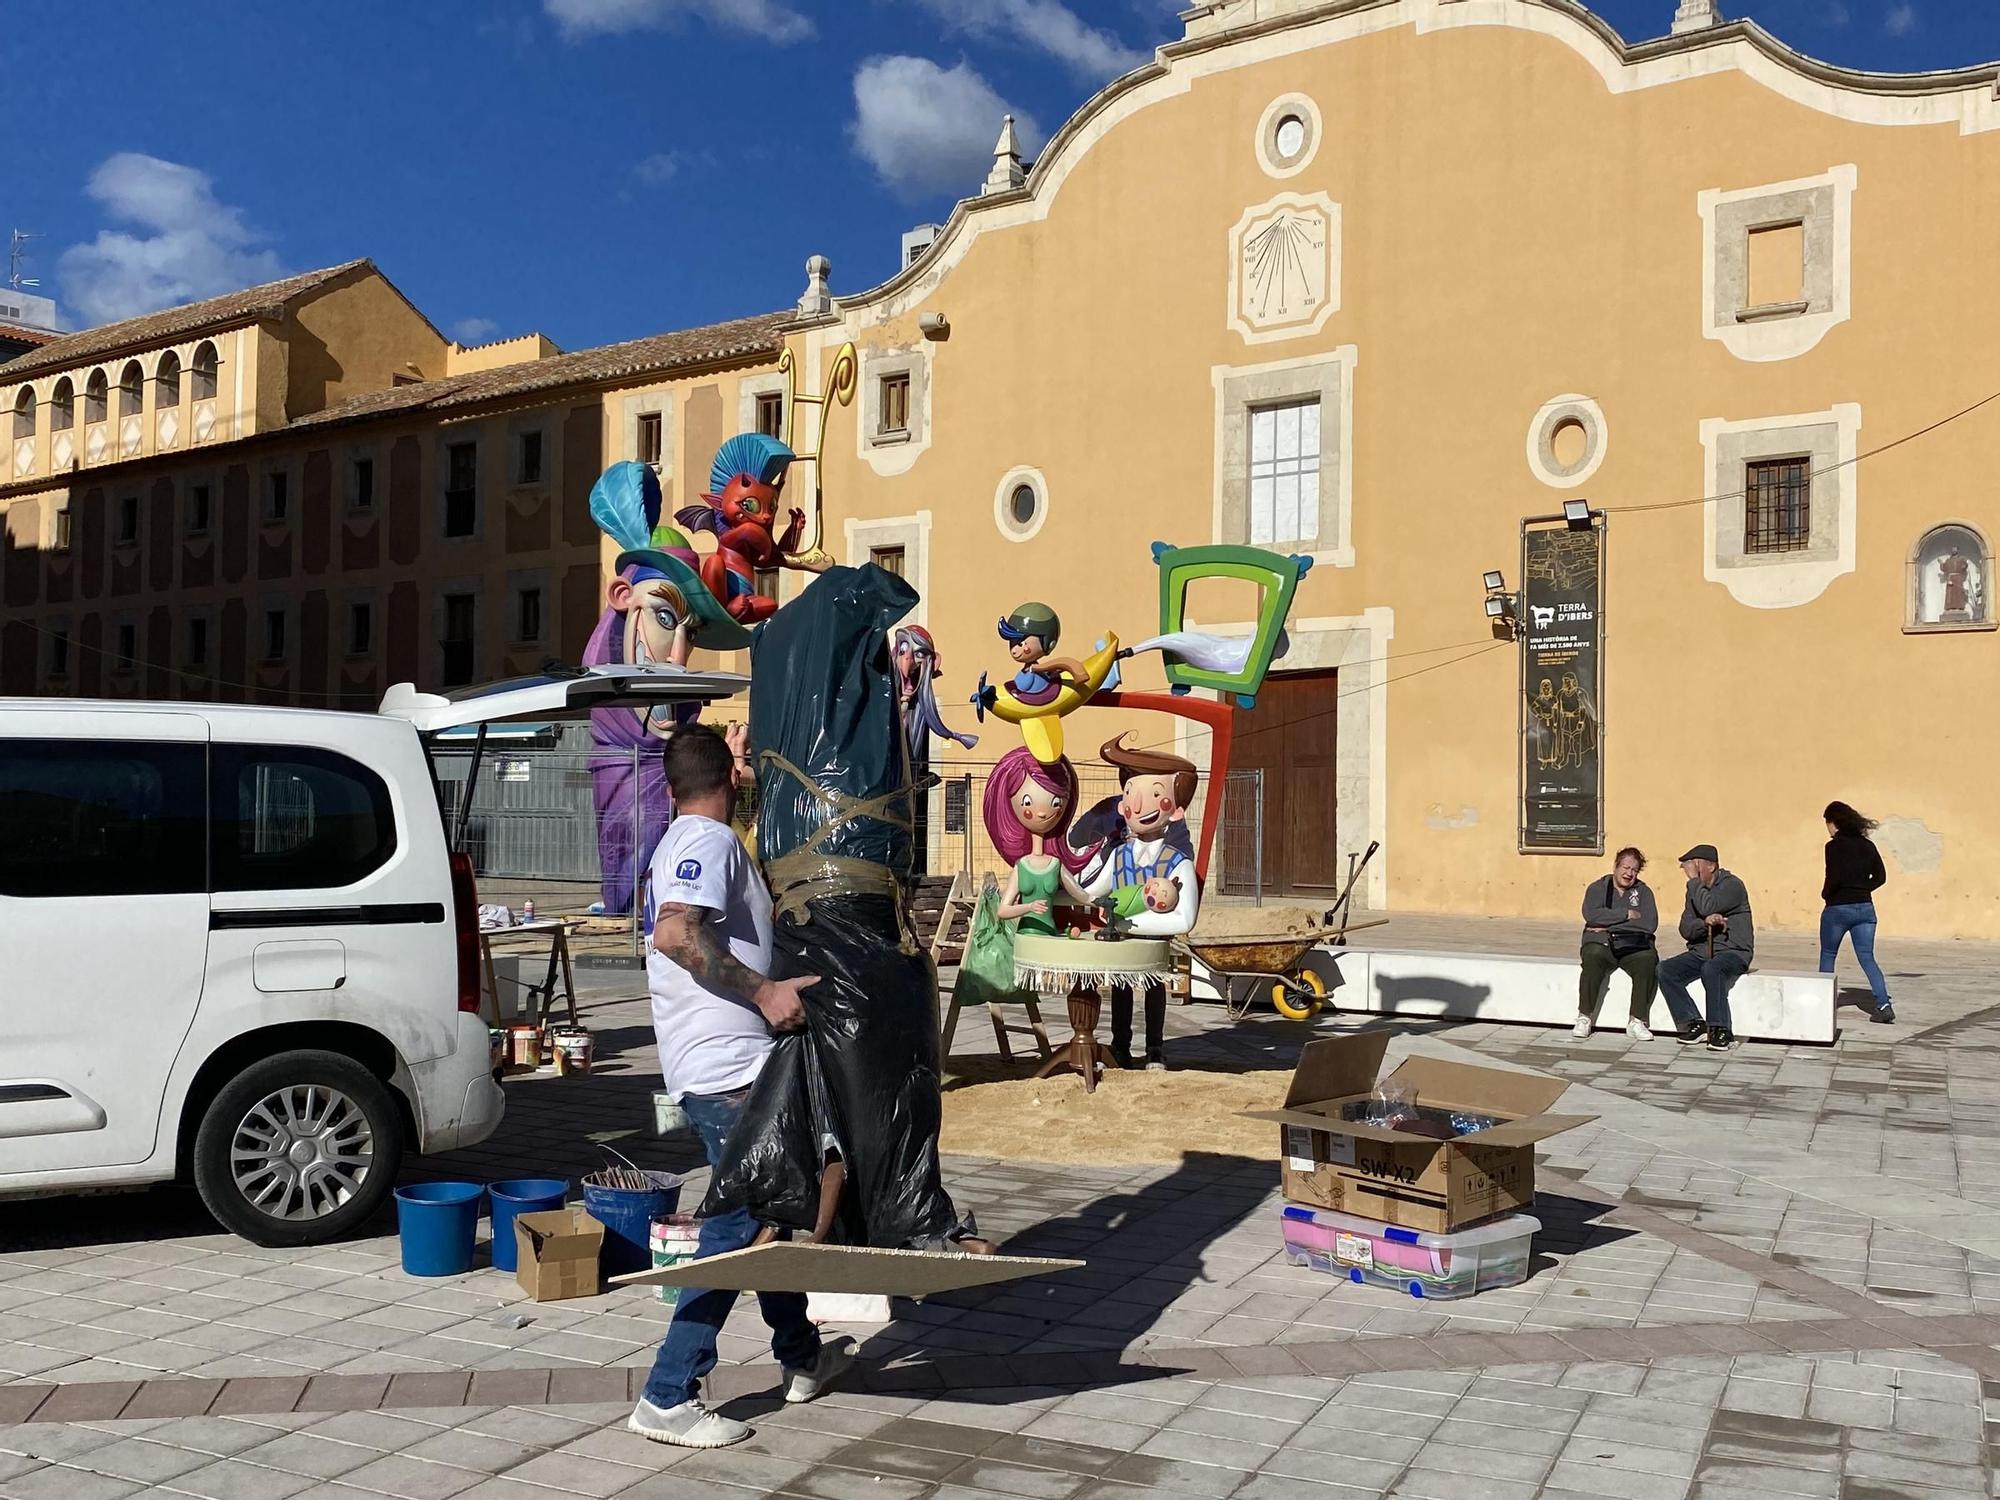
x=1401 y=1179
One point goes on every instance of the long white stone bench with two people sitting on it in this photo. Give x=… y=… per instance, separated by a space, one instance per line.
x=1765 y=1005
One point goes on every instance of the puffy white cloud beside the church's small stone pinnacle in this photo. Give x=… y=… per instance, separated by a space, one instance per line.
x=929 y=129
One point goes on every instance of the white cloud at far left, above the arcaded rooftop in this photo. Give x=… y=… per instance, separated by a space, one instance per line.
x=187 y=245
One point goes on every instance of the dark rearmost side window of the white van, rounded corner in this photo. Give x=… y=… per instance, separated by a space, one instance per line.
x=295 y=819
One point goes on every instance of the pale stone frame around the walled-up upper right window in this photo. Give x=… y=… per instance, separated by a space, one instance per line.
x=1825 y=205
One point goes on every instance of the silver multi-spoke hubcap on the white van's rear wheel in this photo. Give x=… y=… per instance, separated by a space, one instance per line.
x=303 y=1153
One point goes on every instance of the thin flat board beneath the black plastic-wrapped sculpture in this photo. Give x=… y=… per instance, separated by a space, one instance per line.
x=787 y=1267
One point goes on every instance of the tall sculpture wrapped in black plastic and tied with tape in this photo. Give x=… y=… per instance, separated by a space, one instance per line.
x=839 y=1139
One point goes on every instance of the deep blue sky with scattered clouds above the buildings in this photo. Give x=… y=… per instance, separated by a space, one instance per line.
x=595 y=169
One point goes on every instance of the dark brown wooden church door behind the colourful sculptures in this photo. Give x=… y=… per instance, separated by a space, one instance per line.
x=1291 y=737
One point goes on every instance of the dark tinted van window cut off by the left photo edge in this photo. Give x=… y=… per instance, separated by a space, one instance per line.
x=101 y=819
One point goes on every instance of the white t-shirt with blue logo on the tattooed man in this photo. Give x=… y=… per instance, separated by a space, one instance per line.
x=711 y=1043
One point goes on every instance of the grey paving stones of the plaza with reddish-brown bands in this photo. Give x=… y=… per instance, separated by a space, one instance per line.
x=1725 y=1303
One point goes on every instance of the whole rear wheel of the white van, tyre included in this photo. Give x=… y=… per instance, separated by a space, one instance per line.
x=299 y=1149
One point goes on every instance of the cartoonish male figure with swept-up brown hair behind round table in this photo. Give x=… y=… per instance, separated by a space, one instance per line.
x=1153 y=803
